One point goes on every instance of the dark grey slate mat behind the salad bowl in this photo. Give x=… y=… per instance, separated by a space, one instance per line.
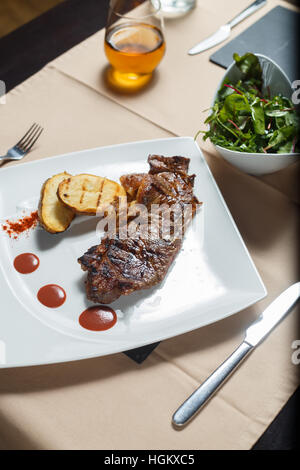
x=275 y=35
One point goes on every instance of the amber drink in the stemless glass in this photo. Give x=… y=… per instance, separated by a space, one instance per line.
x=134 y=51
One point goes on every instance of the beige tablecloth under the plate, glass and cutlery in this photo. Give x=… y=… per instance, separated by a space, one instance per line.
x=111 y=402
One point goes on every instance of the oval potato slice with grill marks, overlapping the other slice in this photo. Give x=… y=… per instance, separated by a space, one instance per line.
x=87 y=194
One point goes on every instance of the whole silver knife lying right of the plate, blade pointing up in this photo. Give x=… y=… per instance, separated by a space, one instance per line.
x=256 y=332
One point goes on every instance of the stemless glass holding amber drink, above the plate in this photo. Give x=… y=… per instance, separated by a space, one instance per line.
x=134 y=42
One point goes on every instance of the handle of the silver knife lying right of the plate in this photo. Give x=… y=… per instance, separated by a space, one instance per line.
x=195 y=402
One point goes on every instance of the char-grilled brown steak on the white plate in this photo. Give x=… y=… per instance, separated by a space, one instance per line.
x=121 y=266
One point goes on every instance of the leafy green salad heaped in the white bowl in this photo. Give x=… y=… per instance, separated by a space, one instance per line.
x=245 y=119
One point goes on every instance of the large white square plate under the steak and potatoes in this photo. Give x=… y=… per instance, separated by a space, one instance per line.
x=212 y=277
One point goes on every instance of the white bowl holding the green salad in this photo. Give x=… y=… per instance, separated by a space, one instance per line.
x=277 y=82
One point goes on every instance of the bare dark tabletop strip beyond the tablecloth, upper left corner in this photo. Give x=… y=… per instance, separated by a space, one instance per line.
x=29 y=48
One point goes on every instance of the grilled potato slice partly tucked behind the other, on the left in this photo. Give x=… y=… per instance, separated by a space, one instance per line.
x=54 y=216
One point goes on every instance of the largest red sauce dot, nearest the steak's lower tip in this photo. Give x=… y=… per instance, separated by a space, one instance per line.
x=98 y=318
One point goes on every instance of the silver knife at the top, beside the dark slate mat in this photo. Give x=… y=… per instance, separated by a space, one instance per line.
x=224 y=31
